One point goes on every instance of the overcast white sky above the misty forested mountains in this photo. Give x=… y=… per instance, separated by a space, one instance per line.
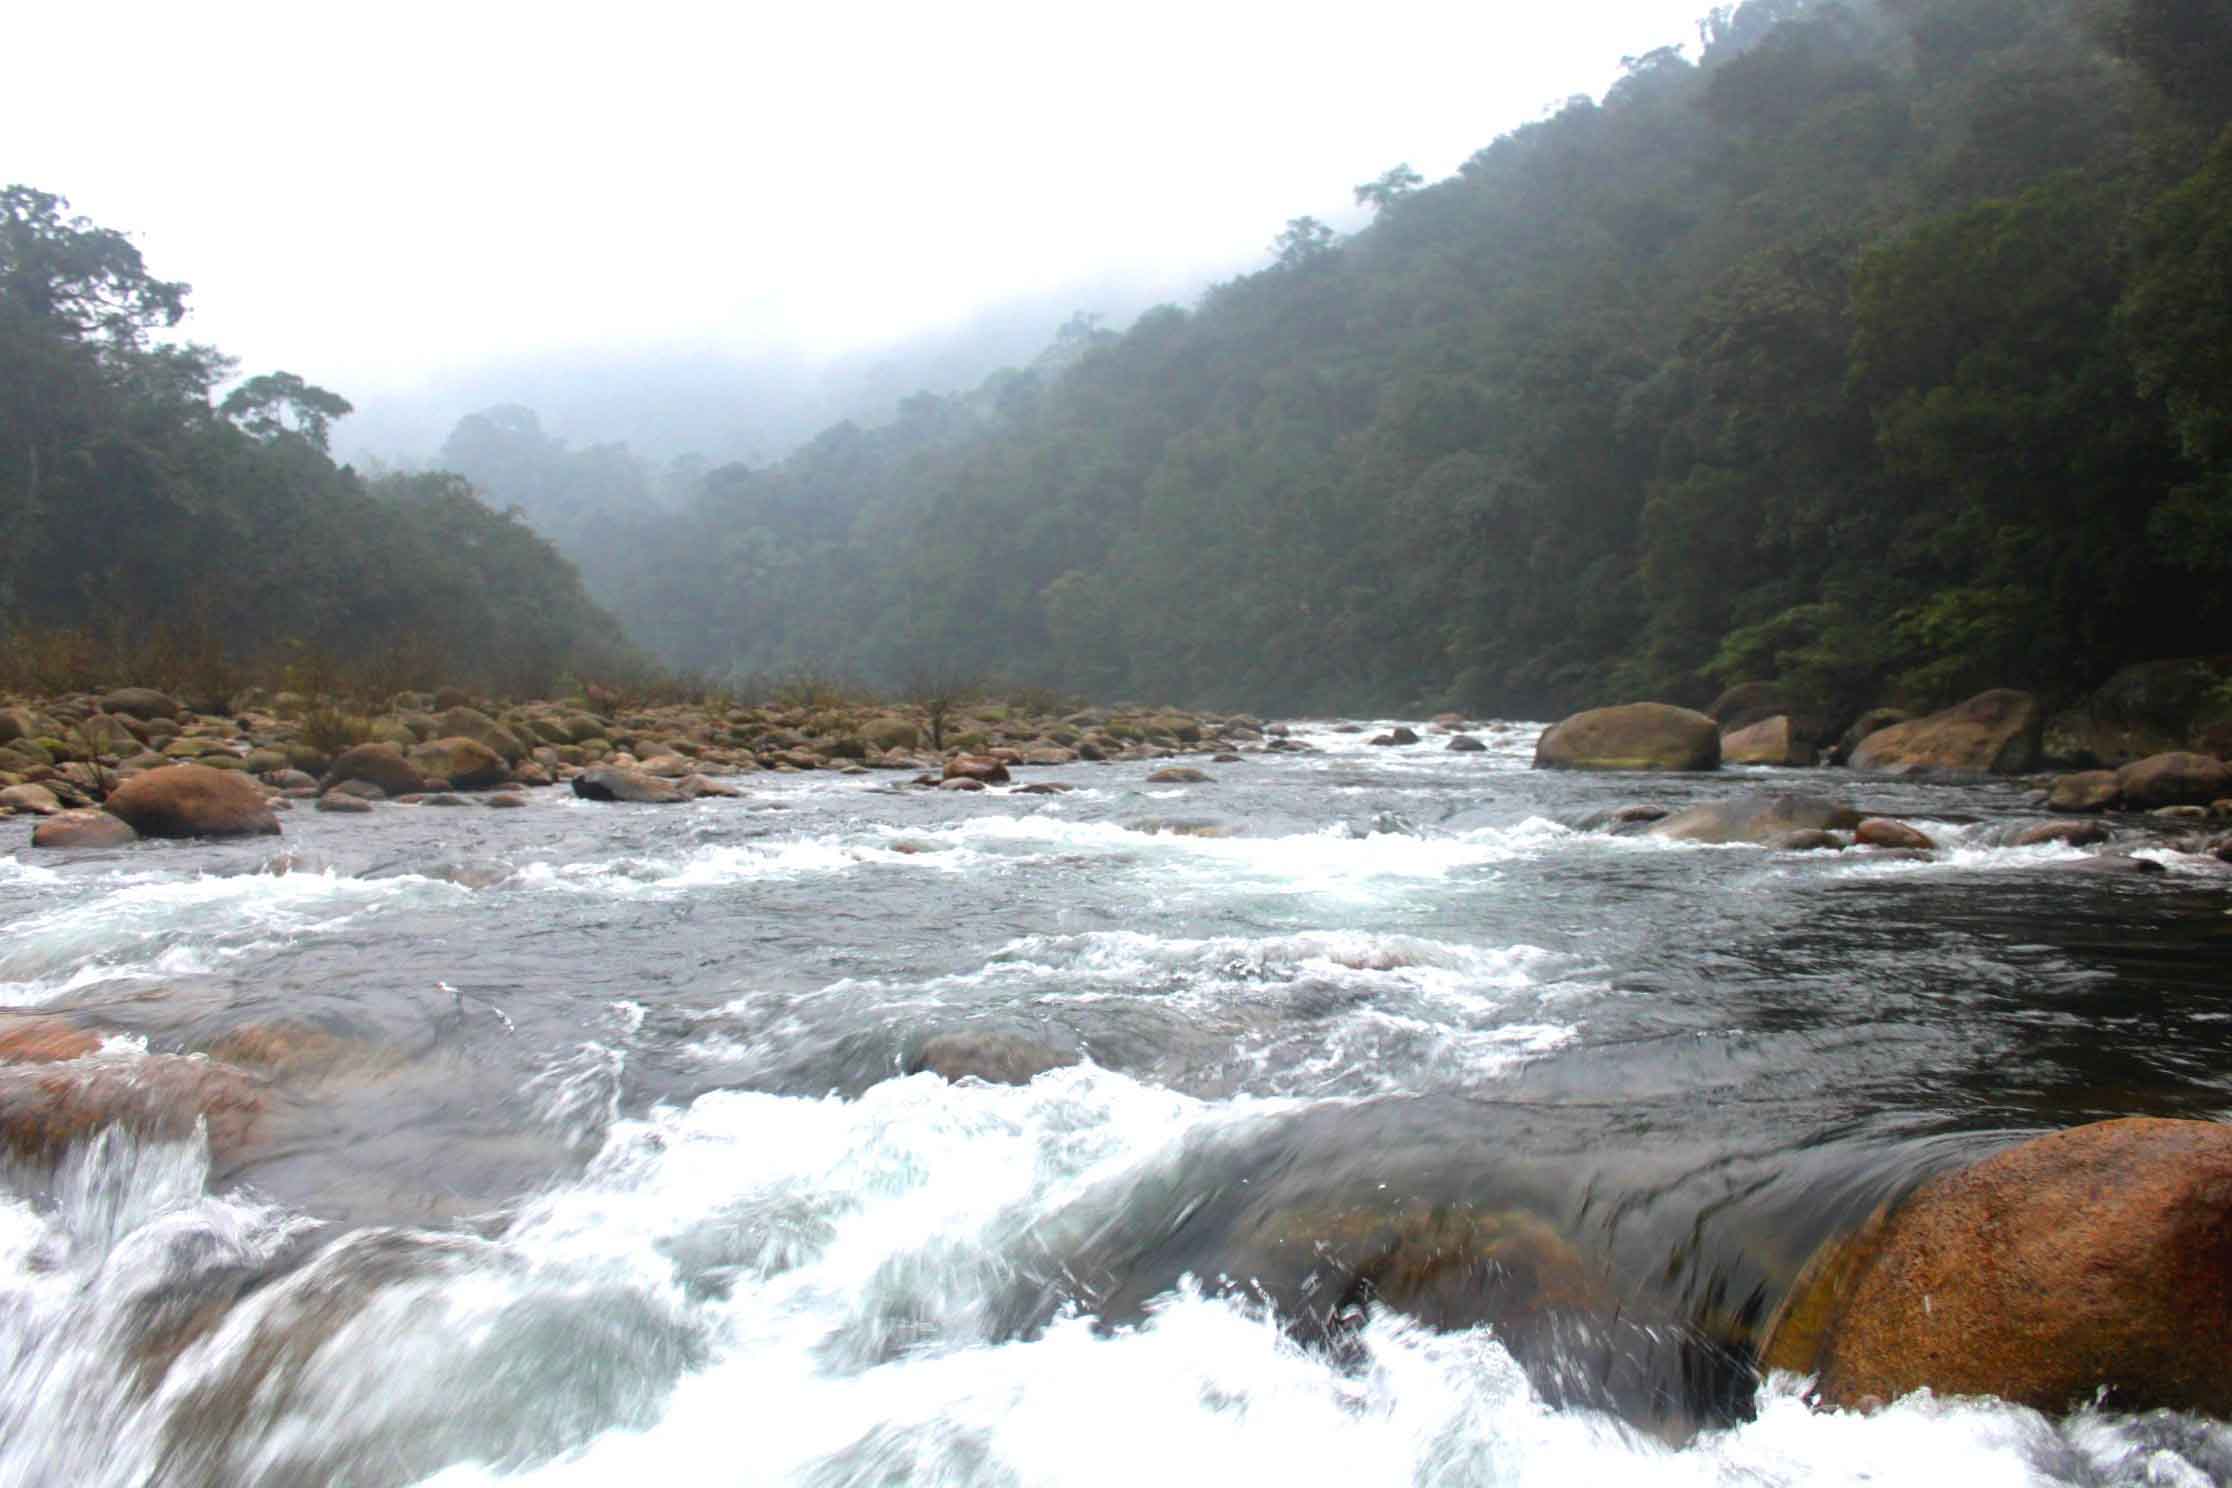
x=374 y=195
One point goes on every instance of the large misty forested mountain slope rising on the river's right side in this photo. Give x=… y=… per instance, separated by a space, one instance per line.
x=1885 y=349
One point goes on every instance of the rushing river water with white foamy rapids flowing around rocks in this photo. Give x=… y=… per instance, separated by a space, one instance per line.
x=602 y=1166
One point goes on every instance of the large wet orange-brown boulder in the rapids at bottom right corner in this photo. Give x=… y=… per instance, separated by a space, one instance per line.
x=2084 y=1262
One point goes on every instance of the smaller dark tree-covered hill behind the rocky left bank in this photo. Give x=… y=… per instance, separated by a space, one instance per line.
x=135 y=503
